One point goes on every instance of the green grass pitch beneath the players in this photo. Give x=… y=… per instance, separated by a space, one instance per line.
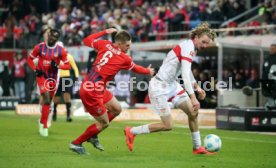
x=22 y=147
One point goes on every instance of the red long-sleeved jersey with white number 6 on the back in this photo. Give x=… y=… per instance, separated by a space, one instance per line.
x=109 y=61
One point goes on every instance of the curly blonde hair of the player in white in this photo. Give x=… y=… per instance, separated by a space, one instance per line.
x=203 y=29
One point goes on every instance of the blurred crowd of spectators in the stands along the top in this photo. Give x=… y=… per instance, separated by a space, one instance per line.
x=21 y=21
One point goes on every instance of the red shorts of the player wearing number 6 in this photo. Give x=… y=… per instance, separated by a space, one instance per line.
x=94 y=102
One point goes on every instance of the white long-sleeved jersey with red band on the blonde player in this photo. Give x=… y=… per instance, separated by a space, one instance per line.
x=178 y=61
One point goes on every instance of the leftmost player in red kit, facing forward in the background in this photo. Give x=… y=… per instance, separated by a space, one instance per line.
x=49 y=55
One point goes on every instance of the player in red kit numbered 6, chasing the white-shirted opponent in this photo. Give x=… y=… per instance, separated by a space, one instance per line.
x=97 y=100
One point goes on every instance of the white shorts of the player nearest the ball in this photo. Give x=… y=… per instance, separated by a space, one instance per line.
x=161 y=92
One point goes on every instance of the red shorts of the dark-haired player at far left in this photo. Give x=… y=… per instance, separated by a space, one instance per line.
x=47 y=85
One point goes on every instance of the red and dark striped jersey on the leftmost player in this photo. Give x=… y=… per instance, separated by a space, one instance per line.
x=46 y=55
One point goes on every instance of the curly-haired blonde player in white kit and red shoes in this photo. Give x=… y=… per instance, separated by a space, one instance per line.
x=164 y=88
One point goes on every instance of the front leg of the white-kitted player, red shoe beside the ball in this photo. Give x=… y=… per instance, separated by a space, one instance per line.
x=186 y=105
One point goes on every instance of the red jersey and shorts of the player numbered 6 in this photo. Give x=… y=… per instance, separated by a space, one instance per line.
x=109 y=61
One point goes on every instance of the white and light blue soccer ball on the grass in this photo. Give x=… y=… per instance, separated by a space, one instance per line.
x=212 y=143
